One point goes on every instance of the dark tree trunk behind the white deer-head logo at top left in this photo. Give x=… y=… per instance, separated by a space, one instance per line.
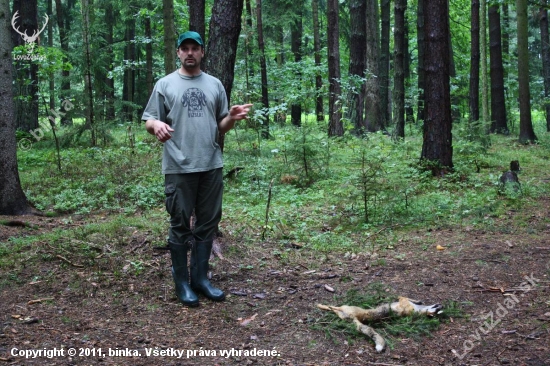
x=26 y=71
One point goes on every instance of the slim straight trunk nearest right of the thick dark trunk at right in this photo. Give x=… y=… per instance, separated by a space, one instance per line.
x=474 y=62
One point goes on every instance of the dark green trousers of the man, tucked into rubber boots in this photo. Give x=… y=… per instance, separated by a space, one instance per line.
x=202 y=192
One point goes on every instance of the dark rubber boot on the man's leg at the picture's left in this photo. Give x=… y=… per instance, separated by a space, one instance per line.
x=180 y=273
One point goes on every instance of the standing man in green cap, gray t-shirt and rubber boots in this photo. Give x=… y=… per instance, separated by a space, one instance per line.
x=186 y=111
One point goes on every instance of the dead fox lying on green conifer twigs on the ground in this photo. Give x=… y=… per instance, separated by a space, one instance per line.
x=360 y=316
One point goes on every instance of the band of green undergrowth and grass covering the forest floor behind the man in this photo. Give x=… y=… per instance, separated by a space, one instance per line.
x=343 y=194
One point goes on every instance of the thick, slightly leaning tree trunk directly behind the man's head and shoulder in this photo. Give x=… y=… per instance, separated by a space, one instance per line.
x=225 y=28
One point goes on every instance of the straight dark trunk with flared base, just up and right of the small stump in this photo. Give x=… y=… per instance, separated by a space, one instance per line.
x=526 y=132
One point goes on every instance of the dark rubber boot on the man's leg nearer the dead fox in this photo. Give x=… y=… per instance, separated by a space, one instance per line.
x=200 y=254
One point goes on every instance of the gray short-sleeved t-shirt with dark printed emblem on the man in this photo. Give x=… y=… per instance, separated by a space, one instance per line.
x=192 y=106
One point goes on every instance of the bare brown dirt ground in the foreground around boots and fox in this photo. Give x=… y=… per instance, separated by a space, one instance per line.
x=499 y=277
